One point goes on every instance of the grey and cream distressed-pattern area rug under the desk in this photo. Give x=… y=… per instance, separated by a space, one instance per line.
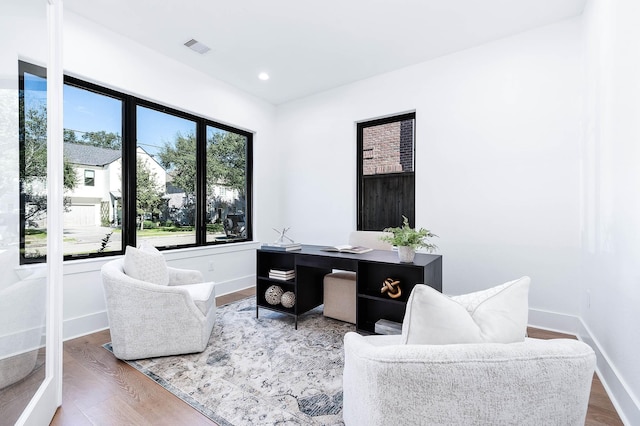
x=260 y=371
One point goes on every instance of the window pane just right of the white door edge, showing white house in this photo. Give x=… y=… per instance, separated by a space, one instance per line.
x=93 y=154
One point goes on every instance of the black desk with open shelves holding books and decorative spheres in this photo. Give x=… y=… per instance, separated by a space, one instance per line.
x=311 y=264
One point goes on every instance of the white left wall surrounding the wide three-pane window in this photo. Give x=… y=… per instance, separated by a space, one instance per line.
x=95 y=54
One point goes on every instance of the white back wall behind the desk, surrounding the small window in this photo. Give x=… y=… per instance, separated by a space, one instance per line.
x=497 y=160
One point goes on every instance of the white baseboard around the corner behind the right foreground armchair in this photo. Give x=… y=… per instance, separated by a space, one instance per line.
x=626 y=404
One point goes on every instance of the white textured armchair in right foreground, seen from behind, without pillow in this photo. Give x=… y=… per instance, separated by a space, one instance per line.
x=534 y=382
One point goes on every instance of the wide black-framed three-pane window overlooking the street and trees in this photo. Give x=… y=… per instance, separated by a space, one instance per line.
x=134 y=170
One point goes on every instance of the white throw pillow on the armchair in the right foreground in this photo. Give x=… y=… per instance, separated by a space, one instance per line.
x=496 y=315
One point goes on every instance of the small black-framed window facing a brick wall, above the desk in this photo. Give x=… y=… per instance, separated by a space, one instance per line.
x=386 y=178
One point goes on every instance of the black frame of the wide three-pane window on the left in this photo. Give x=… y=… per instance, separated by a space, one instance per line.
x=129 y=146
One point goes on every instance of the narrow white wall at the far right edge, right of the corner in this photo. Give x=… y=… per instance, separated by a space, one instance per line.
x=611 y=214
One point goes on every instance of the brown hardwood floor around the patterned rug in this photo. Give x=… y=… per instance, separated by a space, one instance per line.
x=98 y=389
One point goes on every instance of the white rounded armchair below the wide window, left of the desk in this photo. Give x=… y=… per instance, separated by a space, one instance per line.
x=150 y=320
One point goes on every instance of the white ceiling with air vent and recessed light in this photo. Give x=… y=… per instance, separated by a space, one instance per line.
x=311 y=46
